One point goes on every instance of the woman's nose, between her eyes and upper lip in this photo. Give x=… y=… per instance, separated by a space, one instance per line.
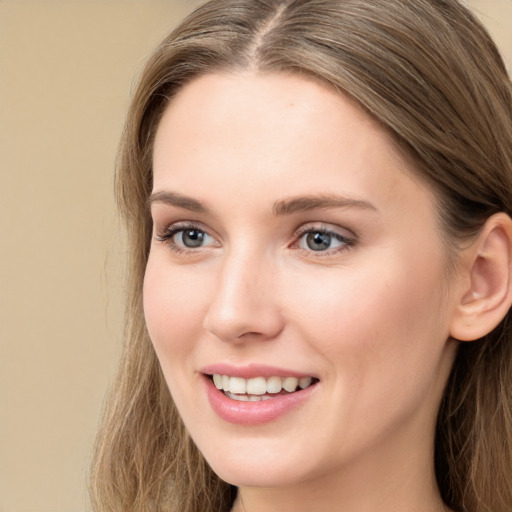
x=245 y=304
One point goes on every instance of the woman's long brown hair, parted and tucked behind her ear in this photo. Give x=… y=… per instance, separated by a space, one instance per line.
x=429 y=73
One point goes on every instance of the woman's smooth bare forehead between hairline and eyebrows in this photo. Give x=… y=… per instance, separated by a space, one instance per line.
x=277 y=133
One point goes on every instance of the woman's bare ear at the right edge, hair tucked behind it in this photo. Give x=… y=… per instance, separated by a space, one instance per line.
x=486 y=295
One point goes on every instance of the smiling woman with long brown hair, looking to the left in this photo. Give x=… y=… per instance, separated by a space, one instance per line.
x=317 y=199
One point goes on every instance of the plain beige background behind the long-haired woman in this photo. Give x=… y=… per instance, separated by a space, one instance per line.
x=65 y=74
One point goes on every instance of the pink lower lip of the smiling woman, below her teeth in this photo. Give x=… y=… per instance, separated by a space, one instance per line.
x=254 y=413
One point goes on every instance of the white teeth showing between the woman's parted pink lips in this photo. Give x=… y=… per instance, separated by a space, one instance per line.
x=260 y=388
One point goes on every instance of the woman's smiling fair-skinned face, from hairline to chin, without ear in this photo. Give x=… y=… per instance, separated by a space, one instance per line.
x=293 y=247
